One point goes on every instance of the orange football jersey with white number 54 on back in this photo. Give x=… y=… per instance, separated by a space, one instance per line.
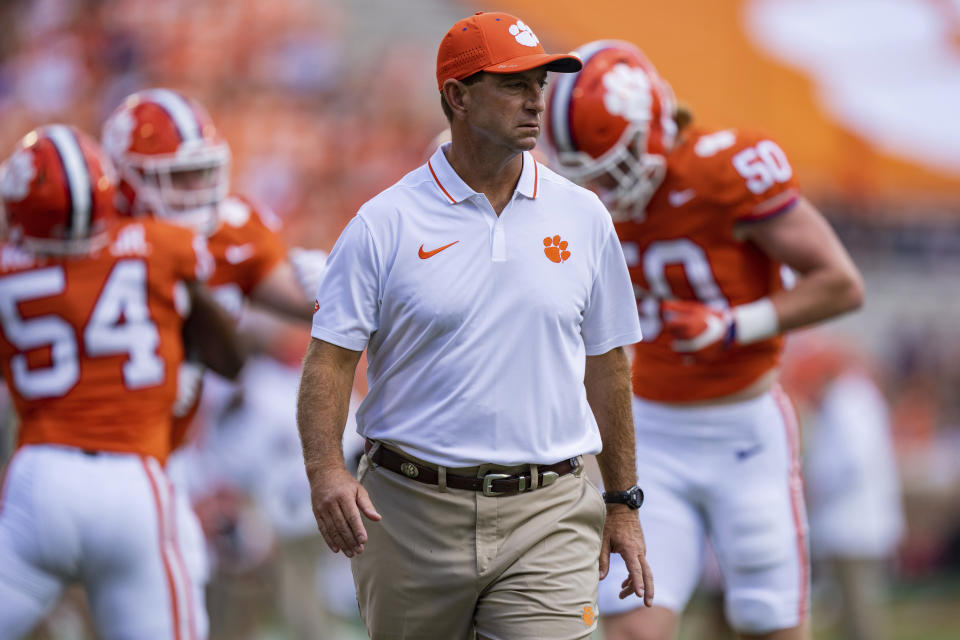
x=90 y=345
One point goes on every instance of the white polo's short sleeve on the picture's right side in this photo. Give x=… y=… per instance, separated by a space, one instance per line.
x=611 y=319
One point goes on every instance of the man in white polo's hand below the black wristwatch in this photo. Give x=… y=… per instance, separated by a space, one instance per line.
x=622 y=534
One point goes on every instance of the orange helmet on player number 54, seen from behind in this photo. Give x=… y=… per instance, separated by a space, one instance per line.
x=57 y=192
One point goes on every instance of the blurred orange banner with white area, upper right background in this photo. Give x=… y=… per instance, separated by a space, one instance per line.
x=732 y=65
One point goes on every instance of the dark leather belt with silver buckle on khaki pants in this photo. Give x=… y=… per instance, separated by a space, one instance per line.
x=492 y=484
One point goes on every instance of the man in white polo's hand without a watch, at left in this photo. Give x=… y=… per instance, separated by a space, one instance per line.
x=338 y=501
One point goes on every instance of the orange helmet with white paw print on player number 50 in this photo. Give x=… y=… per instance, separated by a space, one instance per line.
x=611 y=125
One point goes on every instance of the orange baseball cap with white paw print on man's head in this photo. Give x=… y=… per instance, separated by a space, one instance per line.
x=496 y=43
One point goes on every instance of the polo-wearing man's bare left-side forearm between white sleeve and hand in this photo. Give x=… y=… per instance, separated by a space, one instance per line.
x=323 y=403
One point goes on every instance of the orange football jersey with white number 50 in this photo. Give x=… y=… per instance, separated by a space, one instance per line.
x=686 y=247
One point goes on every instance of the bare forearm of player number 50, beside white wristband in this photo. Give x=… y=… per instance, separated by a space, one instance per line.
x=819 y=295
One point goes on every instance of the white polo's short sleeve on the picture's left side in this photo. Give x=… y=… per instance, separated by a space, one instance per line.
x=348 y=296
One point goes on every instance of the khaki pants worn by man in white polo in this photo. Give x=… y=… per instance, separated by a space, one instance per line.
x=454 y=564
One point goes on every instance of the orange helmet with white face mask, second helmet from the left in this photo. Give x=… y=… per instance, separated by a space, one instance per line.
x=172 y=161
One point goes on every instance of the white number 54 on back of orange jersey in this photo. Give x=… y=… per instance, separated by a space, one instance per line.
x=120 y=324
